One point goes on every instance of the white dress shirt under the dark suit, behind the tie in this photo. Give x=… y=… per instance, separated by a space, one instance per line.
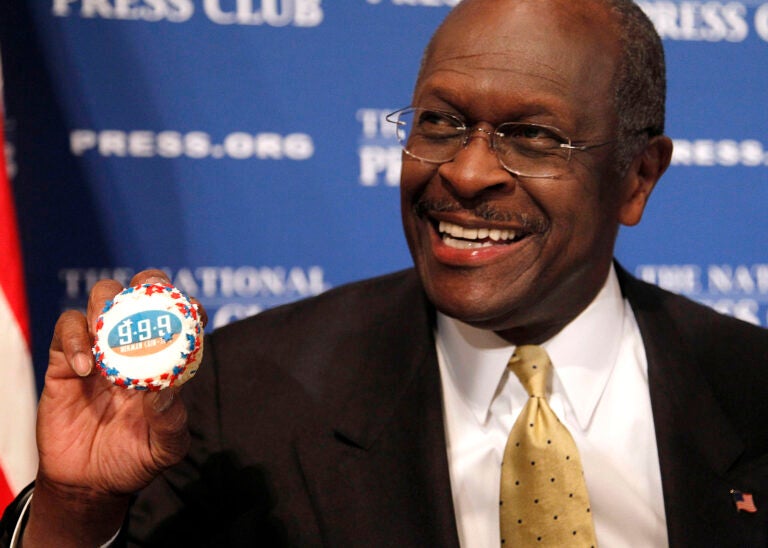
x=599 y=390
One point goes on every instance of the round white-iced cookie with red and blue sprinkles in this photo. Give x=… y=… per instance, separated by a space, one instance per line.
x=149 y=337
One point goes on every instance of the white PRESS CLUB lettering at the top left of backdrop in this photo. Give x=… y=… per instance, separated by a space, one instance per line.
x=273 y=13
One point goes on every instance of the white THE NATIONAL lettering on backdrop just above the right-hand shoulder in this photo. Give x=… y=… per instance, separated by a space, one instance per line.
x=738 y=290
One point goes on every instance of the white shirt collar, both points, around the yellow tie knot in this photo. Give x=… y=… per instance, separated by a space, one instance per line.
x=583 y=355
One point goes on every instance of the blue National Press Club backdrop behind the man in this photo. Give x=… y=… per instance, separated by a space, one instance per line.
x=240 y=144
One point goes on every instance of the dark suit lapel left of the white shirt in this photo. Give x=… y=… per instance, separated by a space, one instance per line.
x=378 y=469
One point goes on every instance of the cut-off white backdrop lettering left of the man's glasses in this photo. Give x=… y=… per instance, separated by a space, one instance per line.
x=378 y=149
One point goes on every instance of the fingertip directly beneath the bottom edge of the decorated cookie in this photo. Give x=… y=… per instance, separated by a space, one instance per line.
x=168 y=433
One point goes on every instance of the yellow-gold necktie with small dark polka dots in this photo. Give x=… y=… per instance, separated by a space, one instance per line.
x=544 y=500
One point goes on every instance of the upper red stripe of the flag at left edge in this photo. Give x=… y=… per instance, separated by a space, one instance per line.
x=11 y=271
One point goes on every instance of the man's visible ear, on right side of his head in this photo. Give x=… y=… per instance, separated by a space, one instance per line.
x=641 y=178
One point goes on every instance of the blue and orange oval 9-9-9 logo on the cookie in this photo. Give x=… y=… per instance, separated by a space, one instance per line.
x=144 y=333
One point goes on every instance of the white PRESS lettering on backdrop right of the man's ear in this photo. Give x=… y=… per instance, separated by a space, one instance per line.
x=726 y=152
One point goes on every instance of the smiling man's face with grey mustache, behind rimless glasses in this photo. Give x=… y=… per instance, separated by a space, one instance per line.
x=545 y=62
